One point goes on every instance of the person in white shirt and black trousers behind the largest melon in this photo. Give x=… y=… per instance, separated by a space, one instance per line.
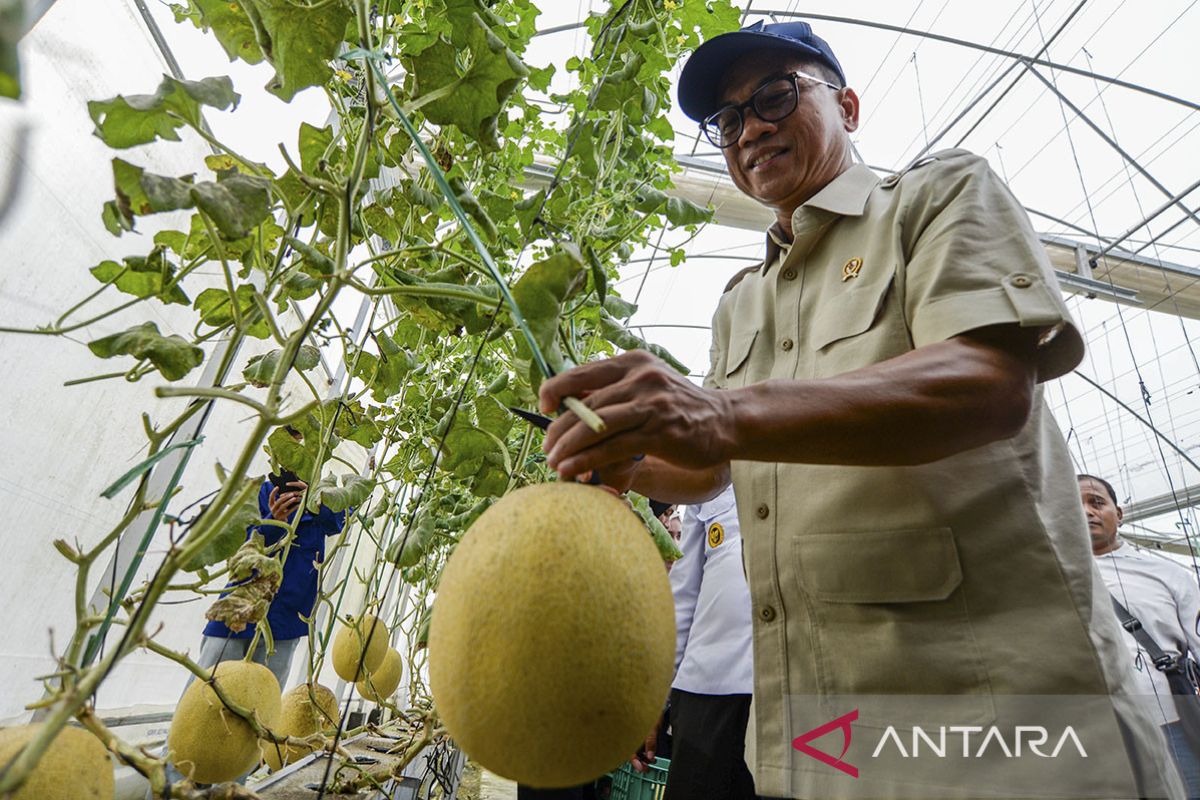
x=715 y=661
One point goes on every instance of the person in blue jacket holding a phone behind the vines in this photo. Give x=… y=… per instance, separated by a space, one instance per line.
x=298 y=591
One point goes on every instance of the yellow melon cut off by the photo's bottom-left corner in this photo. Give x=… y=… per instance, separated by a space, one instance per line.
x=75 y=767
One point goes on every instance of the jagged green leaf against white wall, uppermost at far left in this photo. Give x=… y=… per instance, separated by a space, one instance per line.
x=137 y=119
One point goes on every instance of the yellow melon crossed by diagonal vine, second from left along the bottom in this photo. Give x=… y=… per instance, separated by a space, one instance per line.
x=208 y=743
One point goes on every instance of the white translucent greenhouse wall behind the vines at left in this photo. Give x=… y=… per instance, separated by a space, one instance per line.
x=64 y=446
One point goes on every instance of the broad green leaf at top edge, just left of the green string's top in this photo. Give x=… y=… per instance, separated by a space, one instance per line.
x=302 y=41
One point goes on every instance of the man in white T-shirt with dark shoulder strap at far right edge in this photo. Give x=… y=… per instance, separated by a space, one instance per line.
x=1160 y=594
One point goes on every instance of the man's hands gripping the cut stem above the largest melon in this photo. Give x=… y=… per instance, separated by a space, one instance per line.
x=647 y=407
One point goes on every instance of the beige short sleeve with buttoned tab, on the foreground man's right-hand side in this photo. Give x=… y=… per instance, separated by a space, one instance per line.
x=974 y=261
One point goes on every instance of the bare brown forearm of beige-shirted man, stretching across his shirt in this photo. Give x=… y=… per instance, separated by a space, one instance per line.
x=917 y=408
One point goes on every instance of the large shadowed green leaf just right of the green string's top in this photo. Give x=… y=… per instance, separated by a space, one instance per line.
x=470 y=99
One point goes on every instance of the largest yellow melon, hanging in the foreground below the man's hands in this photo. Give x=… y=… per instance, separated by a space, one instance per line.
x=553 y=639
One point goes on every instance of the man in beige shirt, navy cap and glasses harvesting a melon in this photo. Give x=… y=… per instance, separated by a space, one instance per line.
x=915 y=546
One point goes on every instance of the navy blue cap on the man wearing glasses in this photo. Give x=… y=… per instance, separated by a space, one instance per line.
x=704 y=71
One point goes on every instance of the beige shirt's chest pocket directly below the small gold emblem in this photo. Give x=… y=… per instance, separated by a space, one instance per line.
x=857 y=328
